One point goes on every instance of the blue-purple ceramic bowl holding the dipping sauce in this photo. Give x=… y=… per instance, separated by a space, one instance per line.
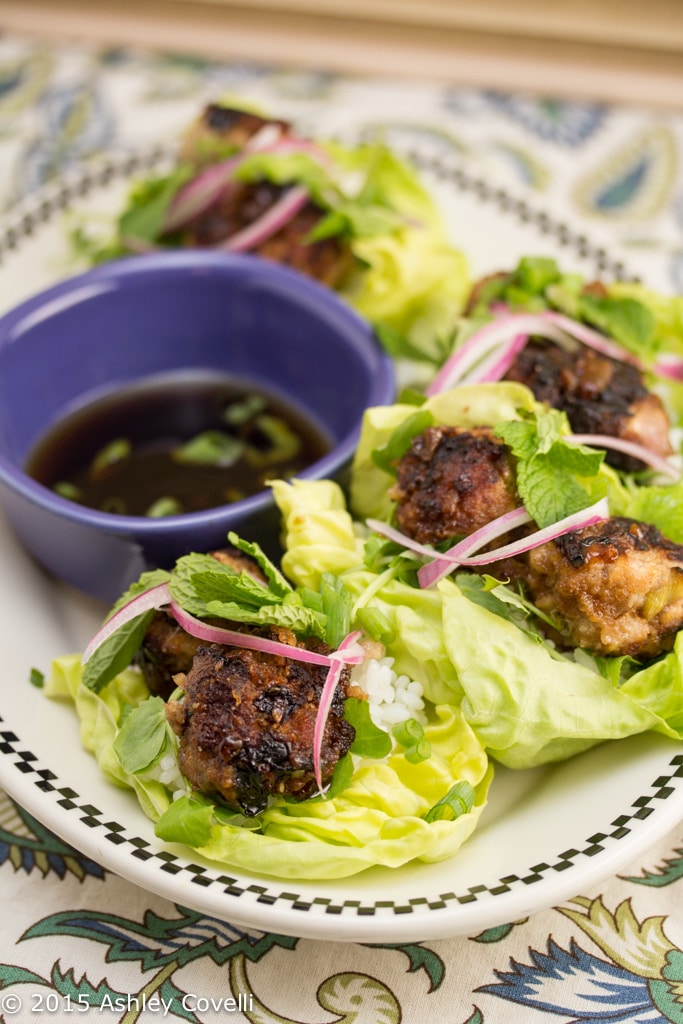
x=136 y=319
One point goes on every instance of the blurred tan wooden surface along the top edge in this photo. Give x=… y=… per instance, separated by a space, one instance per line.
x=584 y=50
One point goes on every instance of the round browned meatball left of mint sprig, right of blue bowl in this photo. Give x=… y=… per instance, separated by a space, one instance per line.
x=452 y=482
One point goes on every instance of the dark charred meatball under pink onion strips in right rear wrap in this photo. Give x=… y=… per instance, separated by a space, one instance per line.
x=600 y=396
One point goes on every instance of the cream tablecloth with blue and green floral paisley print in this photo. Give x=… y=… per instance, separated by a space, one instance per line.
x=78 y=941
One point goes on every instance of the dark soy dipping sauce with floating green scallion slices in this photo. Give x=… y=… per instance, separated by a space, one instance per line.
x=144 y=451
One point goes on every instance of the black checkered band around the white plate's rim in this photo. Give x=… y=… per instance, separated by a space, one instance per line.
x=23 y=225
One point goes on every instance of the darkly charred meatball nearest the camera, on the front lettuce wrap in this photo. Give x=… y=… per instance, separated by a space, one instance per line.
x=246 y=724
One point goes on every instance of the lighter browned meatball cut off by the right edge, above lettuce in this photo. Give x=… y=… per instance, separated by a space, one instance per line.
x=615 y=588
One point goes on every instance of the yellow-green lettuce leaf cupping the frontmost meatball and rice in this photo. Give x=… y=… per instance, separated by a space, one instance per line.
x=378 y=820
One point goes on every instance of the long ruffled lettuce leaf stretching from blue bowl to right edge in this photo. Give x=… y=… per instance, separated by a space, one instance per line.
x=526 y=703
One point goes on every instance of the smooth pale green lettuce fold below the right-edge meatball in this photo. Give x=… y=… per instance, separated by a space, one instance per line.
x=530 y=708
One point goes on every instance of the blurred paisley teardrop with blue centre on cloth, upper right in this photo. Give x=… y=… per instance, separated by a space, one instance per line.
x=635 y=182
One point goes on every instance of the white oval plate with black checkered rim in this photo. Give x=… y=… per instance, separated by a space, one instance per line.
x=547 y=835
